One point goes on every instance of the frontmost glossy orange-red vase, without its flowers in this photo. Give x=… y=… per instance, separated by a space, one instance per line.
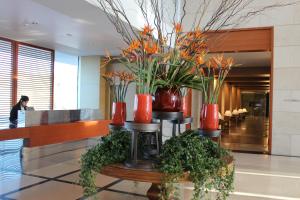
x=143 y=108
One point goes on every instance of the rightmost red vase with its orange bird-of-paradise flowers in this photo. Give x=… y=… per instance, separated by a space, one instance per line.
x=212 y=74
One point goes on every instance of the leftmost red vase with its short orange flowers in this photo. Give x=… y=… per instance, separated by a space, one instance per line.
x=119 y=82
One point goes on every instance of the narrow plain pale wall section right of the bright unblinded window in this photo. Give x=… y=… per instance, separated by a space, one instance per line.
x=89 y=82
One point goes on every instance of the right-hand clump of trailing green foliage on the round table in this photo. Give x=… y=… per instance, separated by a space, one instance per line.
x=202 y=159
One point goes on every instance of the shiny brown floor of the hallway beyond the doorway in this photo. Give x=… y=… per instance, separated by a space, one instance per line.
x=249 y=135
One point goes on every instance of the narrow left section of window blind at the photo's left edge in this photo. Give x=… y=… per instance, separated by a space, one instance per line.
x=6 y=67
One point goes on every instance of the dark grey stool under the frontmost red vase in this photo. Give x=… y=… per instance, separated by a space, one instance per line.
x=136 y=129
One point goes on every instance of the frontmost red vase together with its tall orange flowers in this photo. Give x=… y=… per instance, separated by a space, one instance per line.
x=141 y=57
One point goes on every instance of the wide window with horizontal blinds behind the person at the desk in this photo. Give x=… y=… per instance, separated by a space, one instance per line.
x=24 y=70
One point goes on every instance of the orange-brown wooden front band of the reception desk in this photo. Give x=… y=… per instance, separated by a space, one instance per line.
x=56 y=133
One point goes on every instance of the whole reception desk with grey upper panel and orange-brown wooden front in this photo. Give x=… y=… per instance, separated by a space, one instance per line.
x=55 y=127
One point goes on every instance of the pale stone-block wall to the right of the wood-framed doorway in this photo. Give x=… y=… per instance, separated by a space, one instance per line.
x=286 y=87
